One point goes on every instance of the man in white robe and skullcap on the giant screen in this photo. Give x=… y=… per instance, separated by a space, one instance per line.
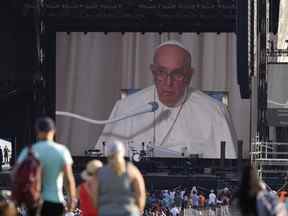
x=187 y=121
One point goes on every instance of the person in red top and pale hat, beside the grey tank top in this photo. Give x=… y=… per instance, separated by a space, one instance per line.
x=84 y=189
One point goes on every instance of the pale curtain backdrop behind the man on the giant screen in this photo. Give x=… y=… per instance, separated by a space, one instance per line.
x=92 y=68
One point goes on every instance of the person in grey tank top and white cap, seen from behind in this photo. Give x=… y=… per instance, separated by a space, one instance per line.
x=118 y=187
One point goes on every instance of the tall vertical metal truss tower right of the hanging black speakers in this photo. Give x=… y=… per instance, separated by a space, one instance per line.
x=257 y=44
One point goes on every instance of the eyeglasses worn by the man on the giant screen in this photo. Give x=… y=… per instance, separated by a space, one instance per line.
x=162 y=74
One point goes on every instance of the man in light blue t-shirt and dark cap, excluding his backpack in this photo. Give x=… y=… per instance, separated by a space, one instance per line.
x=56 y=162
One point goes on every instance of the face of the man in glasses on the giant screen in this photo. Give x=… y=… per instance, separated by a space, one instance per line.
x=172 y=73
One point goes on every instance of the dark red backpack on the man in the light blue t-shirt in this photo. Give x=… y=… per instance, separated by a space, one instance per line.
x=26 y=188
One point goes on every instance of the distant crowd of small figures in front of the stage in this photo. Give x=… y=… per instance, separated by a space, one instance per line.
x=174 y=202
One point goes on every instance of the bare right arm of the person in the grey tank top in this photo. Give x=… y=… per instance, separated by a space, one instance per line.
x=138 y=186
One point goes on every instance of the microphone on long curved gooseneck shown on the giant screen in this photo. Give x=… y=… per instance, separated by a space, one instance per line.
x=150 y=107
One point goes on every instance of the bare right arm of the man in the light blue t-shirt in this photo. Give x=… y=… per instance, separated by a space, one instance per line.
x=70 y=187
